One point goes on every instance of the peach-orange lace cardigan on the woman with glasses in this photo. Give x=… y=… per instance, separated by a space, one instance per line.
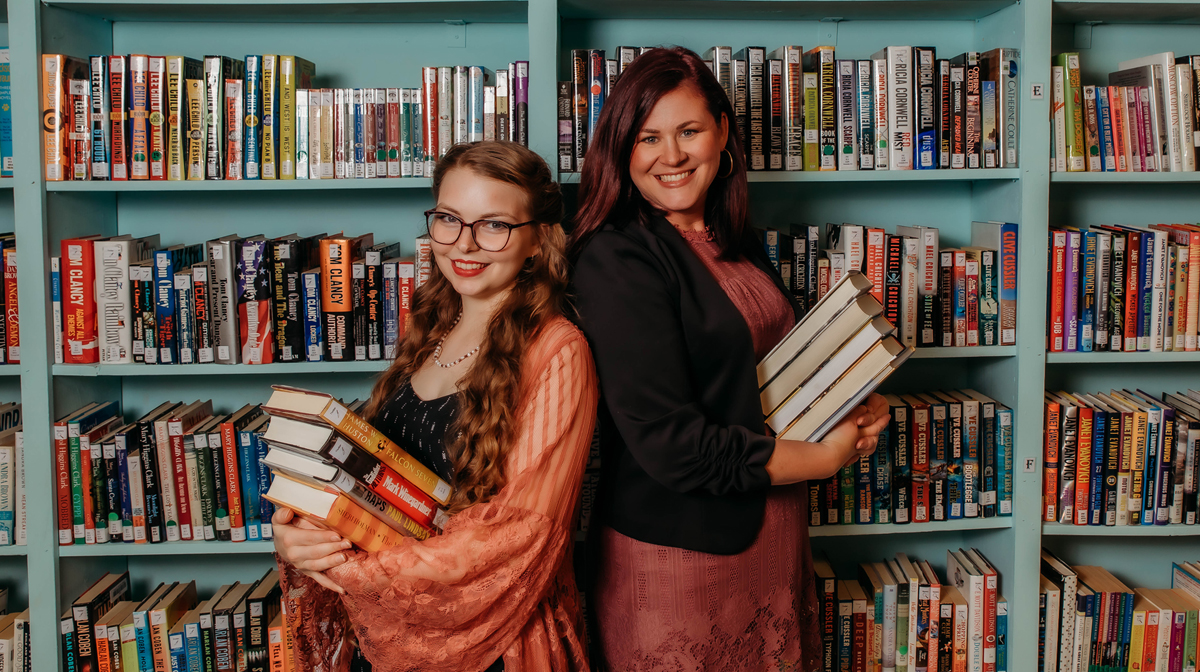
x=499 y=581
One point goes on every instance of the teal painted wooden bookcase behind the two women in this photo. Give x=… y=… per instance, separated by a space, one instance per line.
x=385 y=43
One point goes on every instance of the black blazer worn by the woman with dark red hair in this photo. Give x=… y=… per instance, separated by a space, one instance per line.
x=682 y=428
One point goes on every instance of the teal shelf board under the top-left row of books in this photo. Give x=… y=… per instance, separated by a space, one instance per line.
x=238 y=185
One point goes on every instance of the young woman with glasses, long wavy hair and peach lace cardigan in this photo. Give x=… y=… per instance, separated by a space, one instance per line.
x=495 y=391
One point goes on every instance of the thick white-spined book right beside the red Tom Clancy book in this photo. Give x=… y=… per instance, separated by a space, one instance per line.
x=115 y=316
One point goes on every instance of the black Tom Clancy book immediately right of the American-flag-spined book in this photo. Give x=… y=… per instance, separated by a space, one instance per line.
x=291 y=256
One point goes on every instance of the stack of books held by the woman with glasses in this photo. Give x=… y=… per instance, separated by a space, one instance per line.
x=333 y=469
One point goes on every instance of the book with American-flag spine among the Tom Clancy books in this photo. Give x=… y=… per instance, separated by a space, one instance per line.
x=255 y=320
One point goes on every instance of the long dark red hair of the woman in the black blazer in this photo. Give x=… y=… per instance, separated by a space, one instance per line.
x=607 y=189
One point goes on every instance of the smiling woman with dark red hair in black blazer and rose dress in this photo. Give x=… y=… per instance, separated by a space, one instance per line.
x=705 y=549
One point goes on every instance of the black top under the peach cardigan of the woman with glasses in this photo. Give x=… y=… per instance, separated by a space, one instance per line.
x=421 y=427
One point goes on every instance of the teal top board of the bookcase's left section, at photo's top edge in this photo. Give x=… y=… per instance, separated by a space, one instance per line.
x=301 y=11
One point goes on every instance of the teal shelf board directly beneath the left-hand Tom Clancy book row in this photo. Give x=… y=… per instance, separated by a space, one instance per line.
x=141 y=370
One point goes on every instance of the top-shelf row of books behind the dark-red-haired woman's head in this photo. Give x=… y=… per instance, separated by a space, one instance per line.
x=901 y=110
